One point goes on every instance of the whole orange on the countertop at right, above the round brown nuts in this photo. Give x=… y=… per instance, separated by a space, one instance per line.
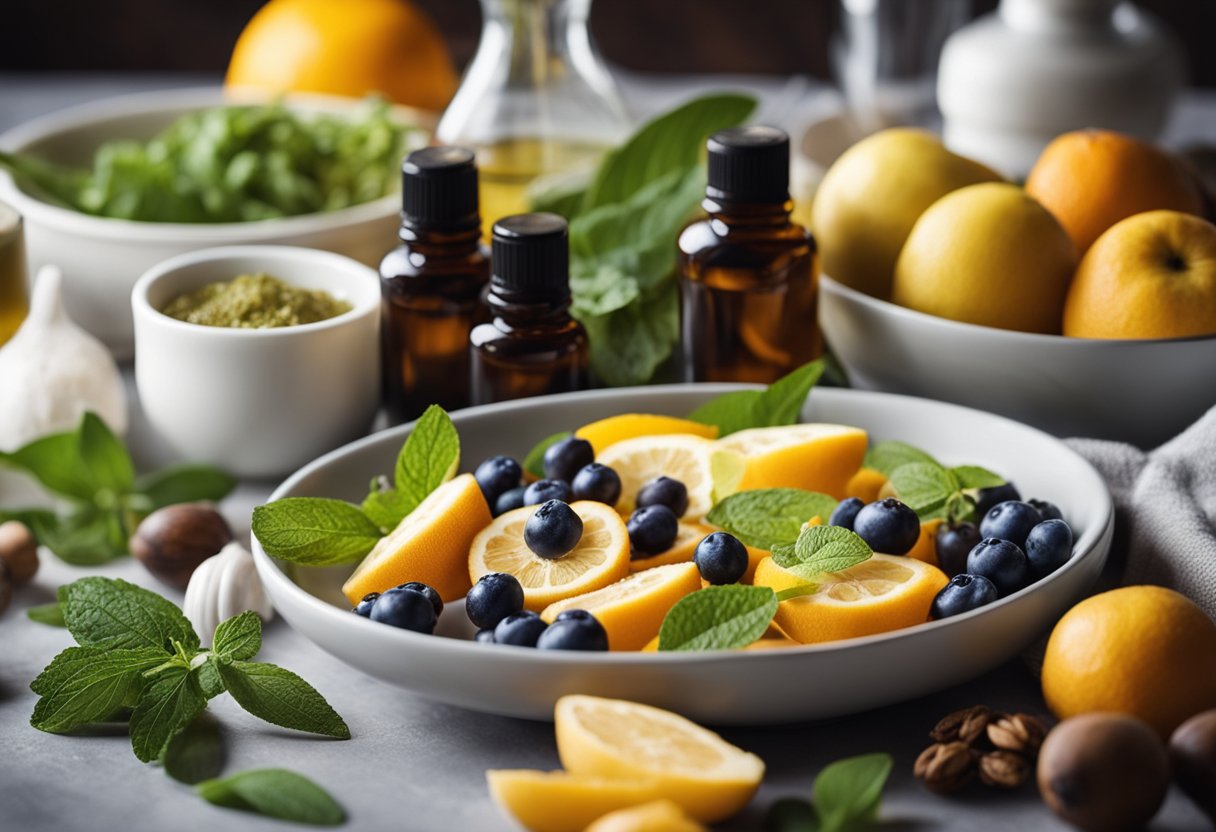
x=1144 y=651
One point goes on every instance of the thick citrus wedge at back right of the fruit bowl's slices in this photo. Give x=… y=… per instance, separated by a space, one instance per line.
x=814 y=458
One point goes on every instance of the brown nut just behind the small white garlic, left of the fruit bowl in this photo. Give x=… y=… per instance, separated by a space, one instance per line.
x=172 y=542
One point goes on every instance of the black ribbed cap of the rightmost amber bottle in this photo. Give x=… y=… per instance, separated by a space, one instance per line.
x=750 y=165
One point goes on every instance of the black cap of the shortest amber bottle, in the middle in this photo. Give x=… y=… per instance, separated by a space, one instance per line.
x=531 y=257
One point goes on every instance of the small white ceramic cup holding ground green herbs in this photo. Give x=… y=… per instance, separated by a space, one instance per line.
x=258 y=403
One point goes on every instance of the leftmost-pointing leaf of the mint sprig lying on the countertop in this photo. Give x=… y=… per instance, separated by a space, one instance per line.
x=83 y=685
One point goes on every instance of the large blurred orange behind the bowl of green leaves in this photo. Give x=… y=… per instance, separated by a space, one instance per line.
x=352 y=48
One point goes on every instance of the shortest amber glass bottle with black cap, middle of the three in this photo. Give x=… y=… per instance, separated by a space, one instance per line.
x=532 y=346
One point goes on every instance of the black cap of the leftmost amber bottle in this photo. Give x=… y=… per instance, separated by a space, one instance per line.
x=440 y=189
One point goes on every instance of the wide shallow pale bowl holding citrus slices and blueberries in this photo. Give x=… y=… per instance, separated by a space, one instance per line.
x=752 y=688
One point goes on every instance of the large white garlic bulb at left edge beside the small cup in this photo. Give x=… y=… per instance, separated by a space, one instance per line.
x=53 y=372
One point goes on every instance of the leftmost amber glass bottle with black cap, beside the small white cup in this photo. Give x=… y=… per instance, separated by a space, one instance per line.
x=432 y=284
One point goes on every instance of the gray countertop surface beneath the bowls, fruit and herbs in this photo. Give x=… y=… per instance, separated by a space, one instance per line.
x=416 y=764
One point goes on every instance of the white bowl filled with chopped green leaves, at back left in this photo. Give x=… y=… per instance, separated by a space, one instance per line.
x=102 y=258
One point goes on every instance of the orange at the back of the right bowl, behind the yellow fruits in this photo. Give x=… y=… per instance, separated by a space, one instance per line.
x=1091 y=179
